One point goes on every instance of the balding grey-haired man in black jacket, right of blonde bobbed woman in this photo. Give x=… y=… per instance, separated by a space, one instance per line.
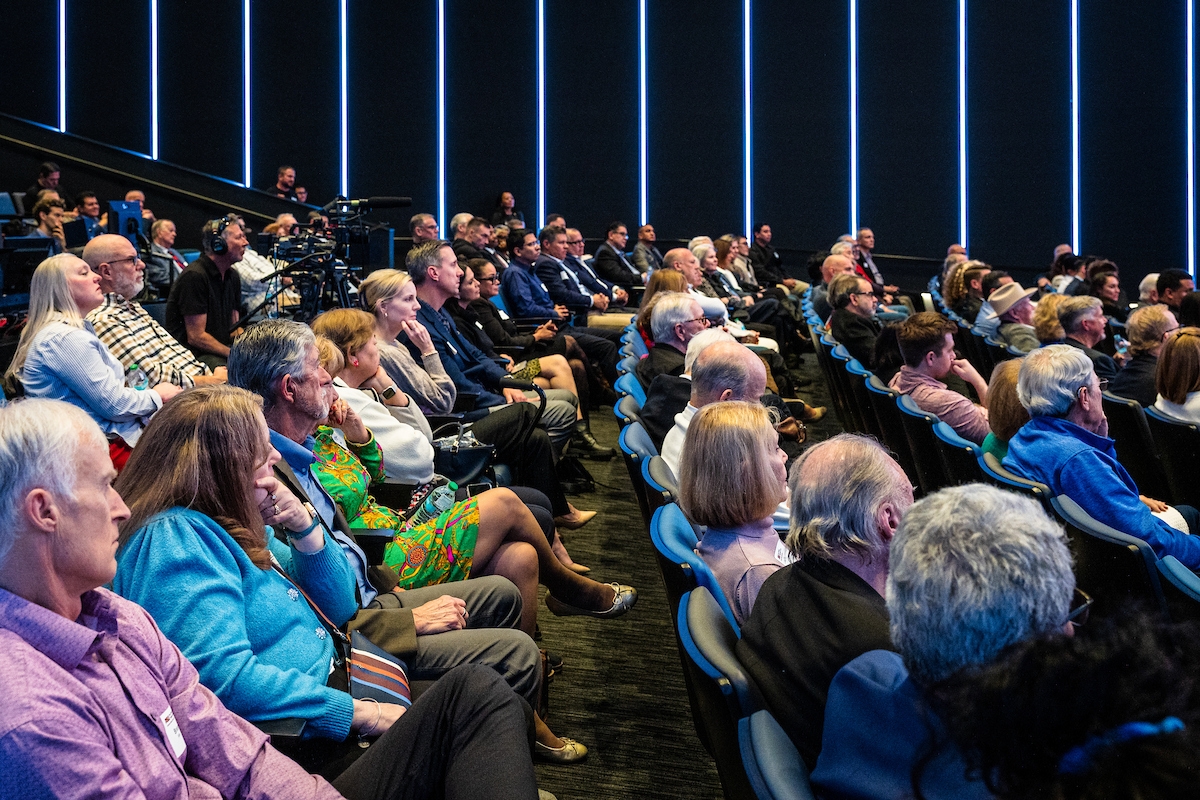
x=815 y=616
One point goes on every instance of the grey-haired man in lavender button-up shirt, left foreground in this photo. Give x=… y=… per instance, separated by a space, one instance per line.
x=99 y=702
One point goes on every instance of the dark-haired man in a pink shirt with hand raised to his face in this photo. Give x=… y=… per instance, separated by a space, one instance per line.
x=927 y=344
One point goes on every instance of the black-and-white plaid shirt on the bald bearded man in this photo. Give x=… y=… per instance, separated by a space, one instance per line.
x=135 y=338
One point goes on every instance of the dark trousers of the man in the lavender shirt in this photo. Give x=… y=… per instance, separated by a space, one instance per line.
x=469 y=738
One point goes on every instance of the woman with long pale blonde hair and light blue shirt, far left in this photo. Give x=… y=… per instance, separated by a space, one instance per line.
x=61 y=358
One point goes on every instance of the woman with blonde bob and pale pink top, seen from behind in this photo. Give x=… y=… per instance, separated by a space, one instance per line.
x=733 y=478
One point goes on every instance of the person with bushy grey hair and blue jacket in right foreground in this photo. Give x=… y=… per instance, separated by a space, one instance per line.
x=973 y=570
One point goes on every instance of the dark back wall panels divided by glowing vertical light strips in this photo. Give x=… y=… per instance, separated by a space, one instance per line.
x=1132 y=112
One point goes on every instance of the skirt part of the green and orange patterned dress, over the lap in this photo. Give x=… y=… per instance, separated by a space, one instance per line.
x=440 y=551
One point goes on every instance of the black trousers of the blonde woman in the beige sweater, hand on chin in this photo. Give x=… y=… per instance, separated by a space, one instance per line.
x=532 y=459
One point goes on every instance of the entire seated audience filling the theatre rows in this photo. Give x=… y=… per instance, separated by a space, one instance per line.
x=158 y=478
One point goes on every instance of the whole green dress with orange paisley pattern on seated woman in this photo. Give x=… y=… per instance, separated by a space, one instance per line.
x=436 y=552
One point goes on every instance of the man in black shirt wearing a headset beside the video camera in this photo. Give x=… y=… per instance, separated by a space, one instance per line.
x=205 y=303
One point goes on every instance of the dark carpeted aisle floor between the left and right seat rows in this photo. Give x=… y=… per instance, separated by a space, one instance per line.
x=622 y=690
